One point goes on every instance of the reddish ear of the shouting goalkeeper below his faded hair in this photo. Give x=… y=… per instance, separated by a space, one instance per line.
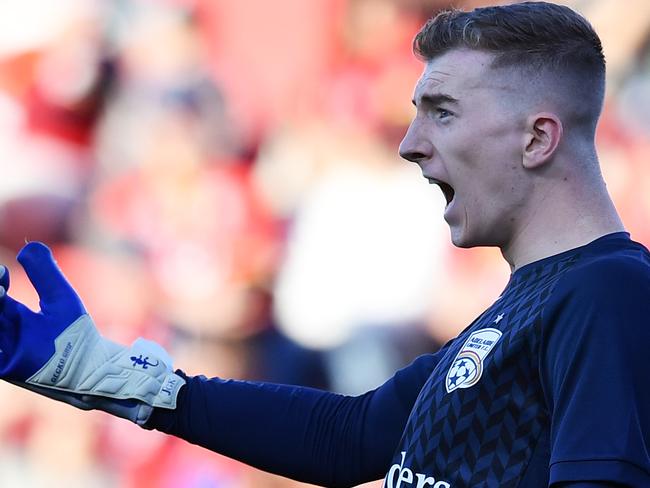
x=543 y=134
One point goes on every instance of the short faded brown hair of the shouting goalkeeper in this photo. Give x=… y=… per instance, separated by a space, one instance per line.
x=534 y=37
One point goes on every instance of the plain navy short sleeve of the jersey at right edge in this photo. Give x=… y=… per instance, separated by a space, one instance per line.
x=595 y=340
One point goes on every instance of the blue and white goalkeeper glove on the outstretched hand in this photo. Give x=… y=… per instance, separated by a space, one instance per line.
x=59 y=353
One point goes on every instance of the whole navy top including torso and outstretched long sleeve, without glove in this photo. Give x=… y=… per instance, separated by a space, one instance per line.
x=547 y=385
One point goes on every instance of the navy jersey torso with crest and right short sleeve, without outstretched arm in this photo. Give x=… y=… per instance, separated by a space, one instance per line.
x=549 y=382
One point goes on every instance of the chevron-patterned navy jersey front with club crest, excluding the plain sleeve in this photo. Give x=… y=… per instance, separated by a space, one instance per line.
x=482 y=419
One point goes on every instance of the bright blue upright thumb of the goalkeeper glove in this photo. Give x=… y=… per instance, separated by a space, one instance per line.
x=56 y=295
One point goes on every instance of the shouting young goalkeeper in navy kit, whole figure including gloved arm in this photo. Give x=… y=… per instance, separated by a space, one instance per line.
x=545 y=388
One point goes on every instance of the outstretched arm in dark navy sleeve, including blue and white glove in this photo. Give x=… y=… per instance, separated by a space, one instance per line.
x=301 y=433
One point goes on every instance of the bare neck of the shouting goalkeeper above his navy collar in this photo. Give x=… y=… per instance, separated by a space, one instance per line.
x=559 y=224
